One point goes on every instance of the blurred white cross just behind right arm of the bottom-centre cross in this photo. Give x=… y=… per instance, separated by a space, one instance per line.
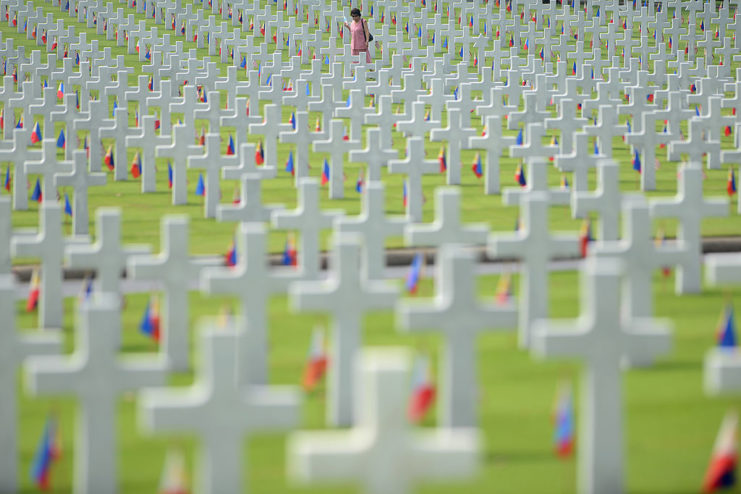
x=460 y=316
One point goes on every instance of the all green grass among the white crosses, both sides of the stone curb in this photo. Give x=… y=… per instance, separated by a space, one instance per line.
x=670 y=423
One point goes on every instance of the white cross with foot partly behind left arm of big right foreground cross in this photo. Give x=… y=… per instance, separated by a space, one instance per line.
x=534 y=245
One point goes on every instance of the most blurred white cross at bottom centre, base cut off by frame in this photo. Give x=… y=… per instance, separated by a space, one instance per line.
x=380 y=452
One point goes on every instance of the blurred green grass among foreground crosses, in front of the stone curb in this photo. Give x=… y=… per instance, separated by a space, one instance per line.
x=670 y=423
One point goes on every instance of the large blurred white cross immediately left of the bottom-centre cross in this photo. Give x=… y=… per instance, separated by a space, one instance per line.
x=221 y=410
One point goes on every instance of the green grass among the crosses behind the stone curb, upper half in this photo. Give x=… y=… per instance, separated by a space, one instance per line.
x=142 y=212
